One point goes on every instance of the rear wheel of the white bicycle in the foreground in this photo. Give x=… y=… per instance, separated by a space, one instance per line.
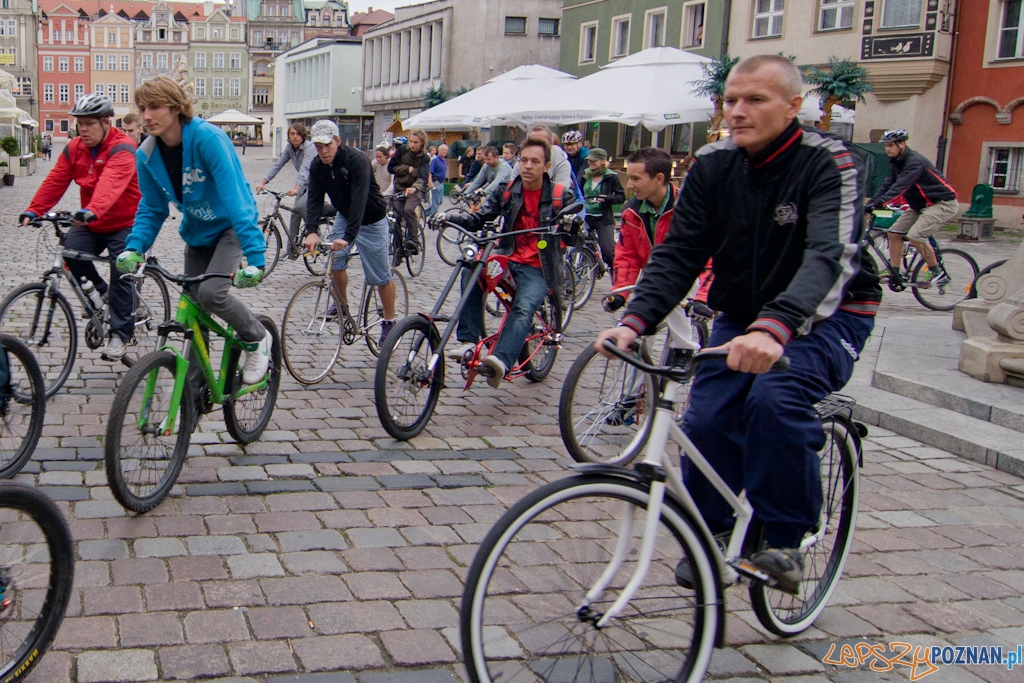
x=787 y=615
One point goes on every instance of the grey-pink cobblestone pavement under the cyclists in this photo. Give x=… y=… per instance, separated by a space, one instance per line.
x=329 y=552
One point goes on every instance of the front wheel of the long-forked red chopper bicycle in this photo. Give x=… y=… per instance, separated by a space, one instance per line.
x=409 y=349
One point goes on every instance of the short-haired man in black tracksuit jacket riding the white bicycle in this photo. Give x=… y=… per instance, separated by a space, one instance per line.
x=780 y=210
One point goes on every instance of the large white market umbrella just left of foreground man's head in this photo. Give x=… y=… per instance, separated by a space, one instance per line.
x=653 y=88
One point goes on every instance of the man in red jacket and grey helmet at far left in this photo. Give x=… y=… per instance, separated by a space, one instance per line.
x=102 y=161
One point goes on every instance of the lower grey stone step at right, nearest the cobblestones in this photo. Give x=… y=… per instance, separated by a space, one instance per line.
x=970 y=438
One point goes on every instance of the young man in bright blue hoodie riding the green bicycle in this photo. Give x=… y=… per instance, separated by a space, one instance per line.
x=193 y=164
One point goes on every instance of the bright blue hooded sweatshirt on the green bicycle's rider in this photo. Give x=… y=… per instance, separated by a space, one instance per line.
x=215 y=192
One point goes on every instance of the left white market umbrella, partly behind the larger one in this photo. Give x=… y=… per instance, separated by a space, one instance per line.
x=491 y=102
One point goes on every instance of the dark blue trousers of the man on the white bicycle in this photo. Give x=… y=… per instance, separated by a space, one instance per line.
x=760 y=433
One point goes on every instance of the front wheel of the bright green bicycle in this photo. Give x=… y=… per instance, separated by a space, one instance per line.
x=130 y=467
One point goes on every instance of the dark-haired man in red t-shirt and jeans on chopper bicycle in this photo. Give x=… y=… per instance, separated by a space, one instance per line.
x=528 y=200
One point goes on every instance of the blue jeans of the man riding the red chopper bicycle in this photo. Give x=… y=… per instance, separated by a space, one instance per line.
x=530 y=293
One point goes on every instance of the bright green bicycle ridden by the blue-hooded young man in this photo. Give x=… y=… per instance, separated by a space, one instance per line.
x=158 y=404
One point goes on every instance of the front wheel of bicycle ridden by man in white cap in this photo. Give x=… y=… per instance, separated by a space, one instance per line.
x=312 y=339
